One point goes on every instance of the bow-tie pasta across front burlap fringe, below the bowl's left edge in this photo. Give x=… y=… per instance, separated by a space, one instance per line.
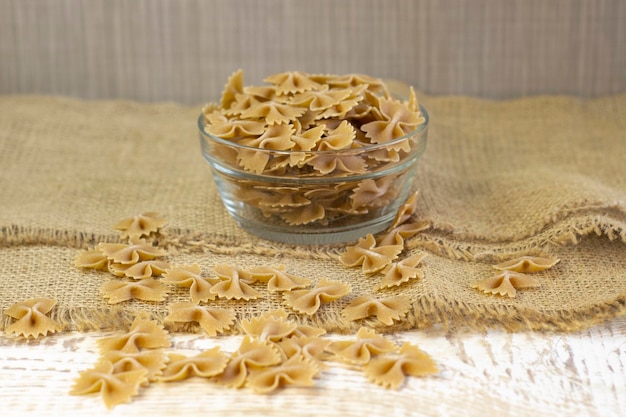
x=212 y=320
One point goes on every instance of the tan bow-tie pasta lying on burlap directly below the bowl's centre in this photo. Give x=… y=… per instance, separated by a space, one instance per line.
x=308 y=301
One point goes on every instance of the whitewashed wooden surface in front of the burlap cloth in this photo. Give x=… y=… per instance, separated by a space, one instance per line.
x=498 y=373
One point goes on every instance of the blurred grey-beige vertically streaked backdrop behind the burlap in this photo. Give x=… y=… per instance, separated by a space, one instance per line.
x=167 y=50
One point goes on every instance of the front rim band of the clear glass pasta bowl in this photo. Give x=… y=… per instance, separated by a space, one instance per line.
x=366 y=148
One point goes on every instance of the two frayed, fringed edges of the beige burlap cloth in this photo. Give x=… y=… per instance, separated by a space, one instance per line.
x=425 y=312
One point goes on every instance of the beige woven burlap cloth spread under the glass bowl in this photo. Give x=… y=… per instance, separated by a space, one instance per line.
x=541 y=175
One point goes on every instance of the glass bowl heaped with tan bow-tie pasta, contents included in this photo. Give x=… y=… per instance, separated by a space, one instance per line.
x=313 y=159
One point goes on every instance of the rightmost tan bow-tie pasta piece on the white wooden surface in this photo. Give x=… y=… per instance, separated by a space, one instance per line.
x=390 y=371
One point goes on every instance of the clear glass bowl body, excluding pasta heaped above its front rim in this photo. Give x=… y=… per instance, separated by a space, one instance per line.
x=293 y=200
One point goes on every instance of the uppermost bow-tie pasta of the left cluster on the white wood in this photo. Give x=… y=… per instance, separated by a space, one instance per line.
x=143 y=334
